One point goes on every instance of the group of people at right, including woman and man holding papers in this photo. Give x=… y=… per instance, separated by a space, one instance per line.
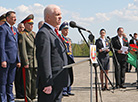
x=120 y=57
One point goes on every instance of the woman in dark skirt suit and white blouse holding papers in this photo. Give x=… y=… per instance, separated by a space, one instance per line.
x=103 y=48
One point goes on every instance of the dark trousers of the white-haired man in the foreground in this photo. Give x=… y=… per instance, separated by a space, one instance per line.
x=55 y=96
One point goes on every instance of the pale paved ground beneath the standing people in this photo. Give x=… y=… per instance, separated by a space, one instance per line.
x=81 y=86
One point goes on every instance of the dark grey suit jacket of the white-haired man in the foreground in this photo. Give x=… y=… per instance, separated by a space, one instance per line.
x=51 y=56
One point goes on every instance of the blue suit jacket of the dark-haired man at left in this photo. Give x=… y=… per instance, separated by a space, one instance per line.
x=8 y=44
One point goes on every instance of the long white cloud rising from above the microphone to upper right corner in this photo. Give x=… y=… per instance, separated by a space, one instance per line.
x=129 y=13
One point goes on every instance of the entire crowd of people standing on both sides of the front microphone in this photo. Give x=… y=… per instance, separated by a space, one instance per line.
x=35 y=61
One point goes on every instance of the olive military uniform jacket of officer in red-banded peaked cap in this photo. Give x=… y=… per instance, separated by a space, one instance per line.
x=27 y=48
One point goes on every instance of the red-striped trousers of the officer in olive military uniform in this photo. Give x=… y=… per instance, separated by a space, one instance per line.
x=29 y=79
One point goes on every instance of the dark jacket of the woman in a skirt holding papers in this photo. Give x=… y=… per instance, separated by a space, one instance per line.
x=99 y=45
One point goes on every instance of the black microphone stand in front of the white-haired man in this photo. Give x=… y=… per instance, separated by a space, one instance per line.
x=95 y=66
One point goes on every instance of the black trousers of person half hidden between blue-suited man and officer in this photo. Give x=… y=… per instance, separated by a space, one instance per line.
x=19 y=87
